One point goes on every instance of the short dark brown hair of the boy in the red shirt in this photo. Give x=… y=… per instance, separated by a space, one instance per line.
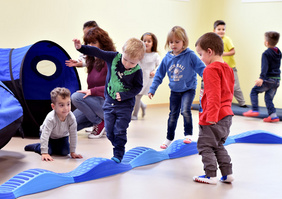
x=211 y=40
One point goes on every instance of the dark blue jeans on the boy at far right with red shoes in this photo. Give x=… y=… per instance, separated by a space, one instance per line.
x=269 y=87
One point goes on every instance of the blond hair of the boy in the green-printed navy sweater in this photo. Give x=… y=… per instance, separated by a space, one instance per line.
x=134 y=48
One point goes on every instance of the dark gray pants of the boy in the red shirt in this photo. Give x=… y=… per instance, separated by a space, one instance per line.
x=210 y=147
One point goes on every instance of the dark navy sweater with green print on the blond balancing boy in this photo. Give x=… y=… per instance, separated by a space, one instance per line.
x=128 y=83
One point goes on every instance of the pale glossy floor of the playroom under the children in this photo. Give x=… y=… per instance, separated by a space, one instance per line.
x=257 y=167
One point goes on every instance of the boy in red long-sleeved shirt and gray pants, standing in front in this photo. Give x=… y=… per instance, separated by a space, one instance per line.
x=216 y=116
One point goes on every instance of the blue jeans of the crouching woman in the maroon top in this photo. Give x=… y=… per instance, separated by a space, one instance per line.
x=89 y=110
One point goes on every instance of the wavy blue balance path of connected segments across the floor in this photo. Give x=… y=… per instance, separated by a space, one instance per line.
x=38 y=180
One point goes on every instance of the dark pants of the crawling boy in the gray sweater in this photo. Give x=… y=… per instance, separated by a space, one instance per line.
x=59 y=146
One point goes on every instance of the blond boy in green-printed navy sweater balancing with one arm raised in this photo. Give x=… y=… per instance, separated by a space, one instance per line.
x=123 y=83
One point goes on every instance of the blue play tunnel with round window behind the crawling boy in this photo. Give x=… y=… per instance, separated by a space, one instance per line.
x=31 y=72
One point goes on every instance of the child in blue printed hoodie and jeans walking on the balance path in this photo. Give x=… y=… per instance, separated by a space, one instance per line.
x=181 y=65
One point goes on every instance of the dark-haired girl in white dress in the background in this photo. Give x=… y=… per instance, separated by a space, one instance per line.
x=148 y=65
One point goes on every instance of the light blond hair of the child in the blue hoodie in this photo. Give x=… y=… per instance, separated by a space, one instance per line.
x=179 y=33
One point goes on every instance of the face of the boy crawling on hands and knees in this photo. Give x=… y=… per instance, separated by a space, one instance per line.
x=62 y=107
